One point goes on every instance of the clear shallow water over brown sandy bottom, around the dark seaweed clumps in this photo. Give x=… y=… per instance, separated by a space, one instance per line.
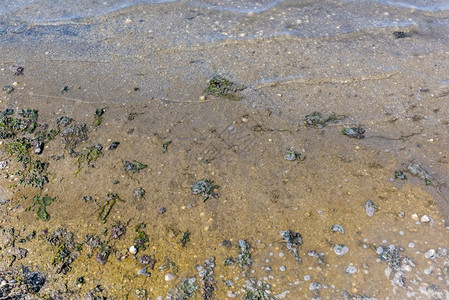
x=148 y=62
